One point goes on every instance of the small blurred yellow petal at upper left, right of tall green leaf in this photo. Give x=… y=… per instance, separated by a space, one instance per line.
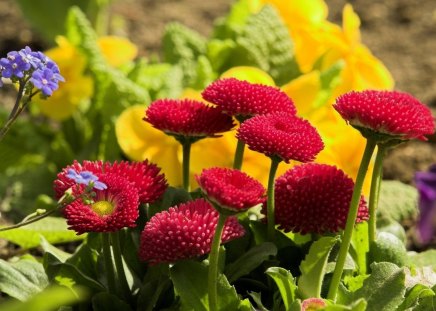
x=117 y=50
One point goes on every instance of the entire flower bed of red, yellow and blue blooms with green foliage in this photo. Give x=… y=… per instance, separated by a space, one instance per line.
x=238 y=174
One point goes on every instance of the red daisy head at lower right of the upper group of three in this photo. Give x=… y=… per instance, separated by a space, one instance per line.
x=280 y=135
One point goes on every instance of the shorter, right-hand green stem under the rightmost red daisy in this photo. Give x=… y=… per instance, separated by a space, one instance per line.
x=377 y=175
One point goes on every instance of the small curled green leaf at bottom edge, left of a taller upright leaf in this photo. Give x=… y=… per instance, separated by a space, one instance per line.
x=285 y=283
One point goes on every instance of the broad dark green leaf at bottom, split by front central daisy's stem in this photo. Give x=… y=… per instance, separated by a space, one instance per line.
x=190 y=282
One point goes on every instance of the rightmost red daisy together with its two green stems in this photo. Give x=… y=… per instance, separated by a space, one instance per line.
x=384 y=118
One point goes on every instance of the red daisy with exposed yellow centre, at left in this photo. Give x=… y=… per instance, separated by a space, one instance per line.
x=112 y=209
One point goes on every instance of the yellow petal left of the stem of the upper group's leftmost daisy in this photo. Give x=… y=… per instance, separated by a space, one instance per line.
x=139 y=141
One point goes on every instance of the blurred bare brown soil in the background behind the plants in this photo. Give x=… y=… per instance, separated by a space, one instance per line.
x=402 y=33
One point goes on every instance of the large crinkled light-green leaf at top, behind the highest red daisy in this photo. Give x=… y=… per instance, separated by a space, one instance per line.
x=266 y=43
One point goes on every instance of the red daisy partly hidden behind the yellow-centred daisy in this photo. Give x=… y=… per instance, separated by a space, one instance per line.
x=143 y=175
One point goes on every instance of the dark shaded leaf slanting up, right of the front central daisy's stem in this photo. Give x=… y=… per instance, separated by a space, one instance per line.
x=250 y=260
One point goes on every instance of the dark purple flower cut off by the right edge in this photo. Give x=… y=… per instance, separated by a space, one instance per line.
x=426 y=185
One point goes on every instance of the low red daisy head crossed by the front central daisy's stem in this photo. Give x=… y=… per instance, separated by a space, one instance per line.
x=184 y=231
